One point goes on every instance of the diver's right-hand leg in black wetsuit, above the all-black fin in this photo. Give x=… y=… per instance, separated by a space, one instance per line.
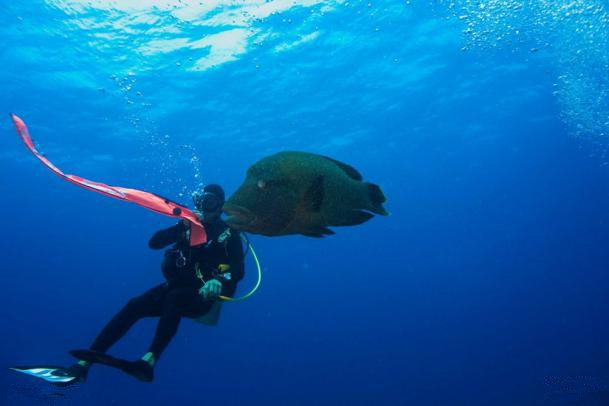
x=178 y=303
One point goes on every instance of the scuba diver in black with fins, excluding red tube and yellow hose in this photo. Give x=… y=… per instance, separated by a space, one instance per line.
x=195 y=278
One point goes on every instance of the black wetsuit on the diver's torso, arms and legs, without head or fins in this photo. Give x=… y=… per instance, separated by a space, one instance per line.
x=179 y=296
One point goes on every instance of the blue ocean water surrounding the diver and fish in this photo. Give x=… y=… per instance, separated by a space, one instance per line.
x=486 y=123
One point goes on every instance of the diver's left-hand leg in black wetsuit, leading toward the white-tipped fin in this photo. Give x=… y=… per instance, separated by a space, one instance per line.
x=148 y=304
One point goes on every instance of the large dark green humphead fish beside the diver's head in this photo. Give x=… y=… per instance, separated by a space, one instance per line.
x=302 y=193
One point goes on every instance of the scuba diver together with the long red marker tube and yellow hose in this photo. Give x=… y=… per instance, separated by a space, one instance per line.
x=202 y=267
